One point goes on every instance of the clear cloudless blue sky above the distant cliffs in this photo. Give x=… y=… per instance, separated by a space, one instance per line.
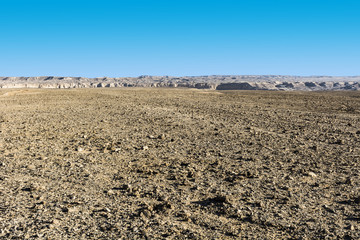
x=179 y=37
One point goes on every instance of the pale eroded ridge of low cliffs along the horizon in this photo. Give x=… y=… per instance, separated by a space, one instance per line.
x=211 y=82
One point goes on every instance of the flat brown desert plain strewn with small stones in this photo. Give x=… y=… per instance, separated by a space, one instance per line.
x=178 y=164
